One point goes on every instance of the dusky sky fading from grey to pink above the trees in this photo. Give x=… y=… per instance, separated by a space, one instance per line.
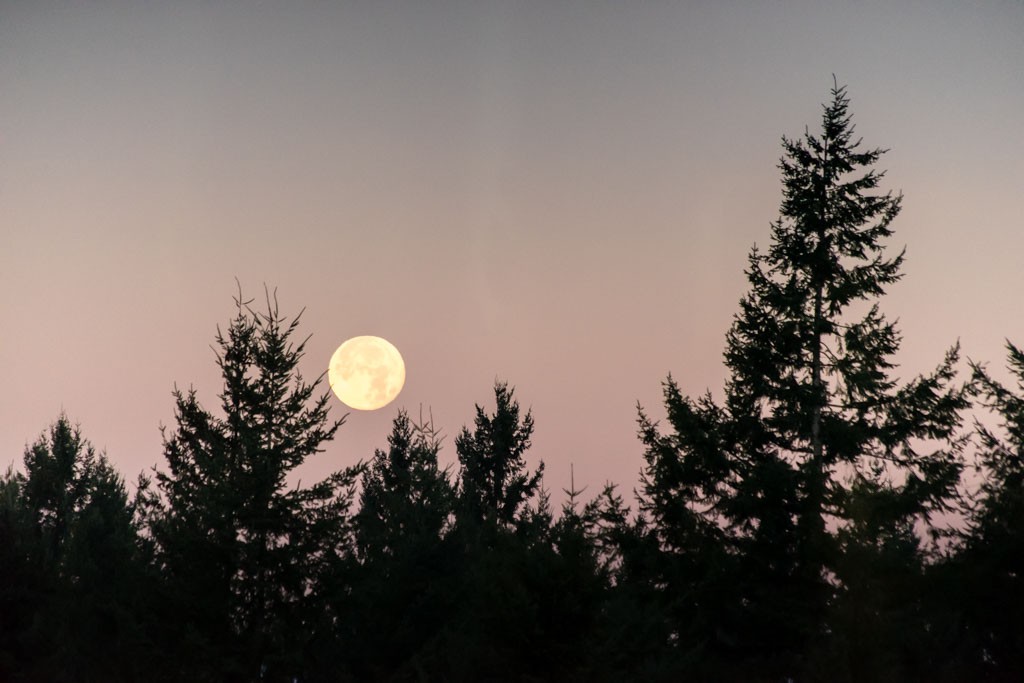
x=559 y=195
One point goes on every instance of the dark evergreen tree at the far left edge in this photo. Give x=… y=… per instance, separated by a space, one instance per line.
x=70 y=544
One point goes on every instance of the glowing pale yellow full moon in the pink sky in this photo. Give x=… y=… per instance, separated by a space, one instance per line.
x=367 y=373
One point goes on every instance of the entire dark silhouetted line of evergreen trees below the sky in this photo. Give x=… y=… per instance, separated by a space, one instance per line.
x=795 y=531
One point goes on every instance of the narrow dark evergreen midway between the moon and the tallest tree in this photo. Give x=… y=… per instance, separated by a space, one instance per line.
x=492 y=631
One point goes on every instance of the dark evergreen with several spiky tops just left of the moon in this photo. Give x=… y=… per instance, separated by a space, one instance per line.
x=242 y=550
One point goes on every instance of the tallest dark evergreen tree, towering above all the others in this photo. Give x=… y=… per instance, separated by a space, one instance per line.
x=769 y=489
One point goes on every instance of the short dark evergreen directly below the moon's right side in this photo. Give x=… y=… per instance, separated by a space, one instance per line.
x=402 y=589
